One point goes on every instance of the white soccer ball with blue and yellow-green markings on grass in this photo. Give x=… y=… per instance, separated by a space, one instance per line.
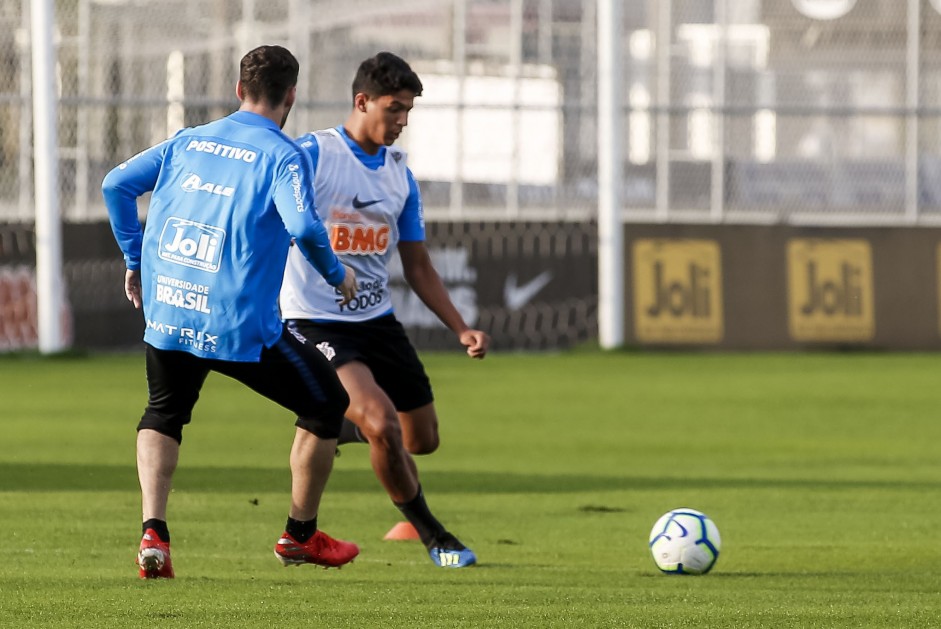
x=685 y=541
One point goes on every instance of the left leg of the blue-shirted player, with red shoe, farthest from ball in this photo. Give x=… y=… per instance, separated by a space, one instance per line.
x=174 y=380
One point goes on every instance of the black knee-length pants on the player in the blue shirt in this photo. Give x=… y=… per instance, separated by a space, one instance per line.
x=291 y=373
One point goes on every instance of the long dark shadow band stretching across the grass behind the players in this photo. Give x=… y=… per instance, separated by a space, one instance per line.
x=30 y=477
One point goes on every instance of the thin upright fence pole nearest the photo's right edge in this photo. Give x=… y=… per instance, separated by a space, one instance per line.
x=912 y=102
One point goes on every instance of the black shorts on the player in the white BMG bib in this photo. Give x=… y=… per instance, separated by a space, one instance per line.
x=382 y=345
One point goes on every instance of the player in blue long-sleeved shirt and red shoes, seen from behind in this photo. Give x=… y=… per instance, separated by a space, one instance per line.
x=228 y=198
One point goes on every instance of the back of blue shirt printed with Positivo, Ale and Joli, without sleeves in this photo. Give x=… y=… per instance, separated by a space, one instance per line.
x=214 y=246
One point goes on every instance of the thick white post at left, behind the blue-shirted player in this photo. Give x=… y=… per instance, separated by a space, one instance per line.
x=49 y=286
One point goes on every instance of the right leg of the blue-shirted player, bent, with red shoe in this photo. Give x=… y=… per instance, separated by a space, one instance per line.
x=299 y=378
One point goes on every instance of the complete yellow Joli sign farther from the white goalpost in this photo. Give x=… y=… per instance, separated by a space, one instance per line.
x=830 y=290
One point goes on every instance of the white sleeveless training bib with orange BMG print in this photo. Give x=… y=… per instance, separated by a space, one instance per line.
x=360 y=208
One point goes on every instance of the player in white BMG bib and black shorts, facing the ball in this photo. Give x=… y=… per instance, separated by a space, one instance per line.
x=371 y=206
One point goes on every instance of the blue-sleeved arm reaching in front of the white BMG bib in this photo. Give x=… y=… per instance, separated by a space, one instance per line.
x=294 y=199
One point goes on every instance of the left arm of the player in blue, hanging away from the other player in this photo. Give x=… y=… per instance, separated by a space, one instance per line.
x=121 y=188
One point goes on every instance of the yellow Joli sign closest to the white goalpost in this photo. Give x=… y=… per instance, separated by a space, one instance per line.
x=677 y=291
